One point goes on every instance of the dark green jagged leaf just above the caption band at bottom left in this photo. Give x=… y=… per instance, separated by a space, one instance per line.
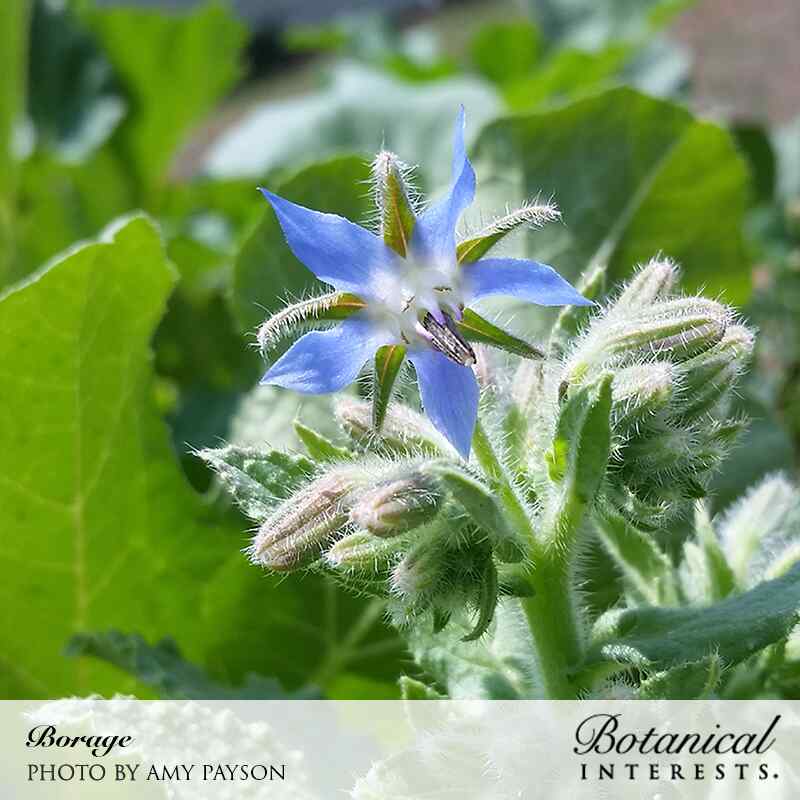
x=162 y=667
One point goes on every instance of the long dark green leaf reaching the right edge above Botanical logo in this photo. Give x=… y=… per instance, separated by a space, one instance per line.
x=734 y=628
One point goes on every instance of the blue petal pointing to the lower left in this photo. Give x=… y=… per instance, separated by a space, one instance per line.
x=325 y=361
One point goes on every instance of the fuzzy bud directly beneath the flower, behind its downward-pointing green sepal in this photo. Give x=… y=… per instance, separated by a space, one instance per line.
x=403 y=431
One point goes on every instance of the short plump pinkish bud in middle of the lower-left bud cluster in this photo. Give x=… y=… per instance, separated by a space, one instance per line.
x=398 y=506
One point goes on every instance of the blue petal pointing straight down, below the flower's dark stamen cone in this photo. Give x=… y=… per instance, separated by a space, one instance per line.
x=449 y=395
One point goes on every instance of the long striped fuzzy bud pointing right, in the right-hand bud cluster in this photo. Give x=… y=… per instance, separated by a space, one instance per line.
x=673 y=329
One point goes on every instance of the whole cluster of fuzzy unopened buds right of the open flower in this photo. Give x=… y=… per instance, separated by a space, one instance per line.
x=674 y=362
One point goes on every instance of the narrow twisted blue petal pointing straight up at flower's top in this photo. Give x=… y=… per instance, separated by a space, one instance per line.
x=434 y=232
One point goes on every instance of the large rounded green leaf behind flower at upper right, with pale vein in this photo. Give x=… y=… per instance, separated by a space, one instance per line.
x=634 y=176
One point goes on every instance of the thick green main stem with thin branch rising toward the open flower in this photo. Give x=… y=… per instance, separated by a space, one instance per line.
x=551 y=614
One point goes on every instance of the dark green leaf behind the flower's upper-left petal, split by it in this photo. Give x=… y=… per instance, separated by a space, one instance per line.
x=265 y=271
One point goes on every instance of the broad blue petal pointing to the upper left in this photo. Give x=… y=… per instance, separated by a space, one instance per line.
x=345 y=255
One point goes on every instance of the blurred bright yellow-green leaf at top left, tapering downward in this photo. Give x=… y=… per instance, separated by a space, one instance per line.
x=188 y=64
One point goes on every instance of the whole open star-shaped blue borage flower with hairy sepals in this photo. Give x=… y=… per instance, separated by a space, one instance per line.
x=407 y=293
